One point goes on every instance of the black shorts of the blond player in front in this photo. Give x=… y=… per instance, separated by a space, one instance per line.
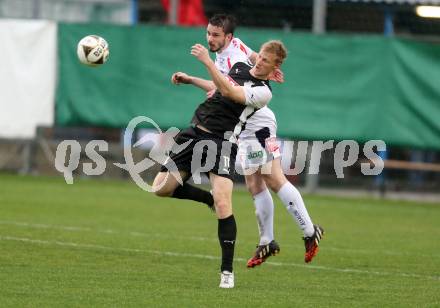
x=204 y=153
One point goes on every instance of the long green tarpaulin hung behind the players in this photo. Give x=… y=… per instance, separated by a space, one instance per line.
x=337 y=87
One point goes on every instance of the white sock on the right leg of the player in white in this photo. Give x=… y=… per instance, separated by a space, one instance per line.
x=294 y=203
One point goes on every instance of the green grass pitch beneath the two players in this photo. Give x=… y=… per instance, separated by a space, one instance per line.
x=108 y=243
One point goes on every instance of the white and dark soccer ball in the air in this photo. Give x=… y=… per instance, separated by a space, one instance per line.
x=93 y=50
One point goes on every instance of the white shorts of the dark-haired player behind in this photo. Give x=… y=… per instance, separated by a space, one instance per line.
x=252 y=154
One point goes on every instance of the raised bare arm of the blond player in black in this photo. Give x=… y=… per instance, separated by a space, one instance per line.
x=221 y=82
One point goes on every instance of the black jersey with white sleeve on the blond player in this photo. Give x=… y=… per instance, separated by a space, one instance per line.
x=220 y=114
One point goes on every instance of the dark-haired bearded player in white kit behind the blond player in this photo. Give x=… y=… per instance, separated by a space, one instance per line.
x=258 y=150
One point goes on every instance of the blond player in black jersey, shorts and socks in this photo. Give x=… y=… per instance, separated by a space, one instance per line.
x=211 y=141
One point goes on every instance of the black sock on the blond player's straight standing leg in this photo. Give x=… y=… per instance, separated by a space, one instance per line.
x=227 y=233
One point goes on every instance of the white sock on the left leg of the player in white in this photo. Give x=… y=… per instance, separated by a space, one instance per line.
x=264 y=211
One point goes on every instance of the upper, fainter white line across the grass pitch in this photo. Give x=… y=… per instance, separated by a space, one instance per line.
x=198 y=238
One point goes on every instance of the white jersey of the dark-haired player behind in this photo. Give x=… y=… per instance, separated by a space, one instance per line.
x=237 y=51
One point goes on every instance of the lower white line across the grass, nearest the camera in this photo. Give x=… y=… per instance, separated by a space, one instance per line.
x=200 y=256
